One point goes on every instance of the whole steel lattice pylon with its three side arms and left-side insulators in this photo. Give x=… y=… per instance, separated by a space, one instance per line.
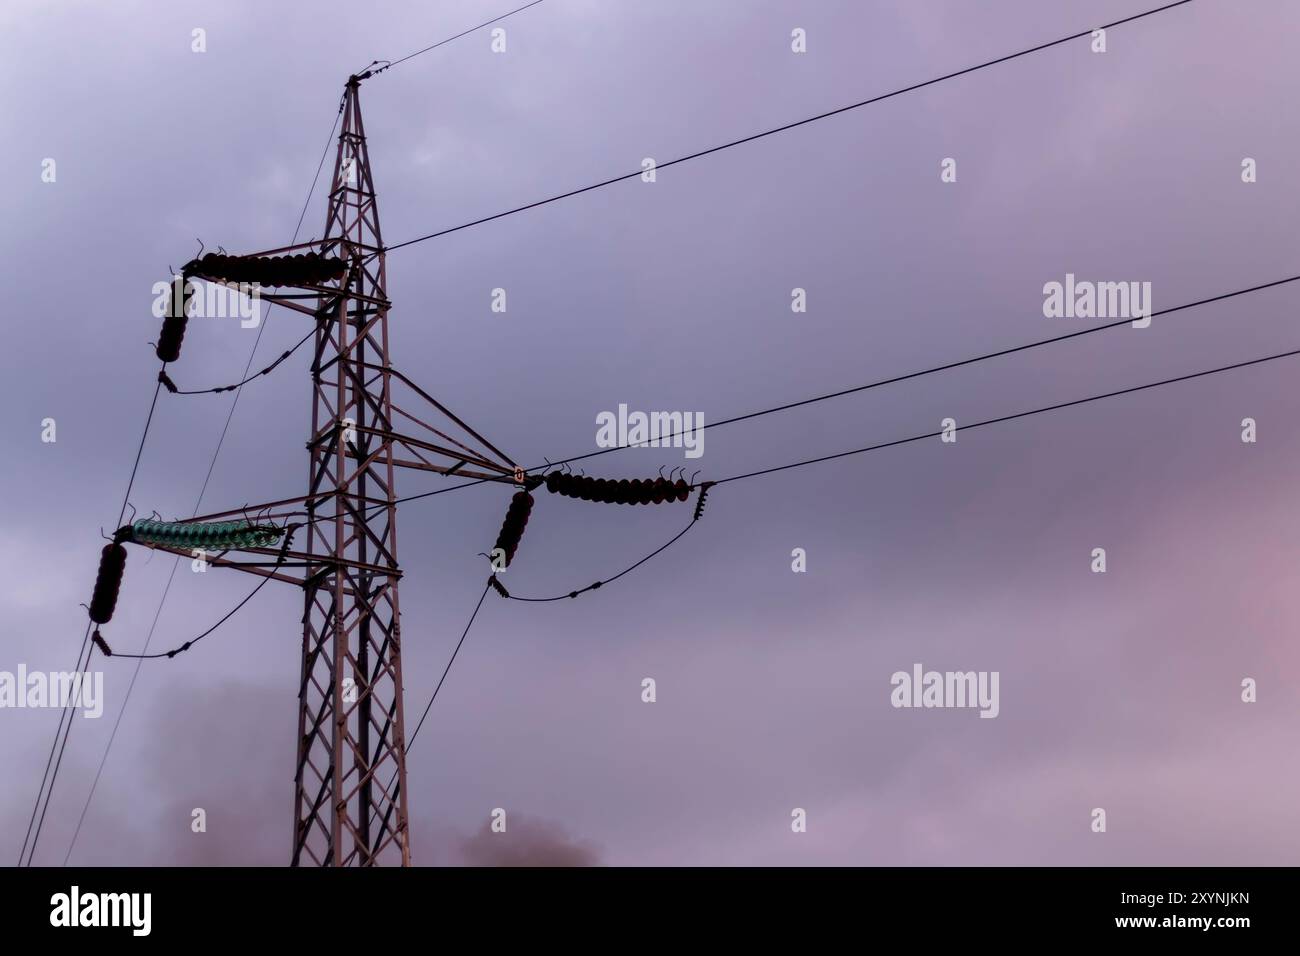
x=350 y=803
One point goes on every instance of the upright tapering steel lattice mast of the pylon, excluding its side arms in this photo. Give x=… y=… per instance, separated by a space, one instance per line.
x=350 y=781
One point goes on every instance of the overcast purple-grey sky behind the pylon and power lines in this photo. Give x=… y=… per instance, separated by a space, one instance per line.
x=1120 y=691
